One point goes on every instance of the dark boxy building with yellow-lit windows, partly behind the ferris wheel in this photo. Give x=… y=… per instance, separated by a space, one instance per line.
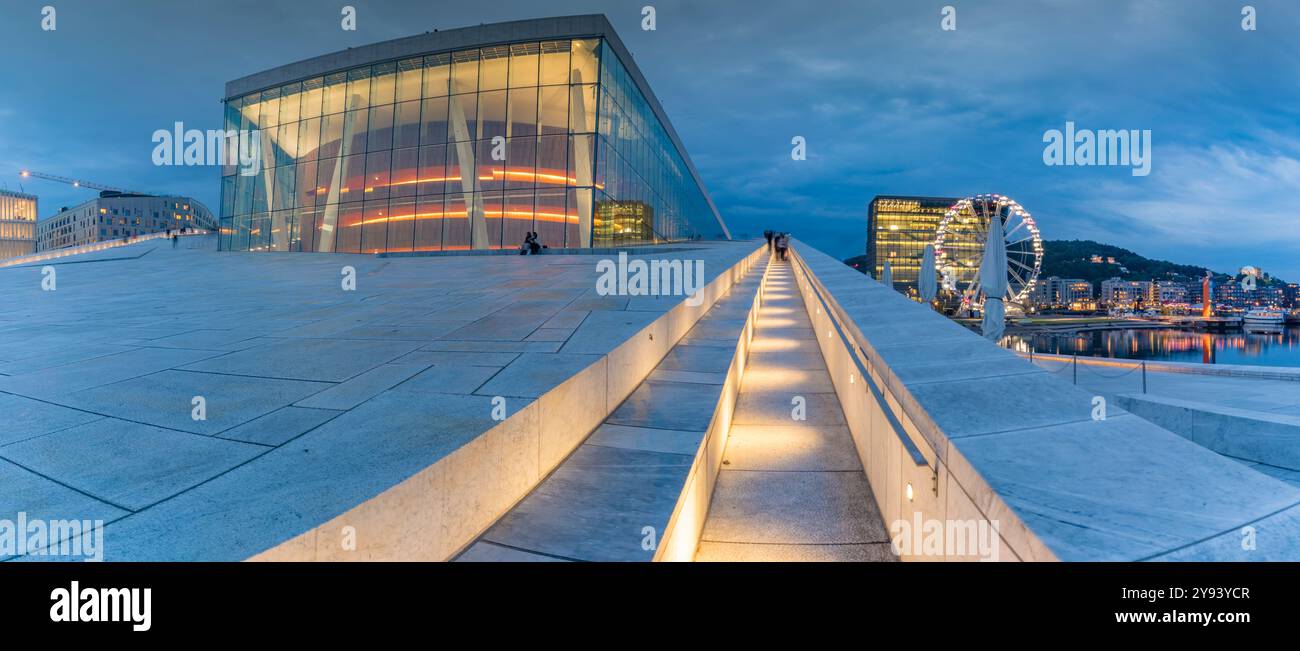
x=899 y=229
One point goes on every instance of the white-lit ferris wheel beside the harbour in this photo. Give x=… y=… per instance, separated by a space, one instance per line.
x=960 y=248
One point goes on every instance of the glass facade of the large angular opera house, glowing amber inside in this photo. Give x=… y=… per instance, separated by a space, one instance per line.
x=471 y=149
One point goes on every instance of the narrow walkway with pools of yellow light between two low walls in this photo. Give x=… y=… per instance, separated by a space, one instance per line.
x=791 y=491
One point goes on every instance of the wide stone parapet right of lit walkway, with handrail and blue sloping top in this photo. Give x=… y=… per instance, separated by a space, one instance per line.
x=983 y=436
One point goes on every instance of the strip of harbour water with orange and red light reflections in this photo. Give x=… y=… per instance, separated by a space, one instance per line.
x=1262 y=350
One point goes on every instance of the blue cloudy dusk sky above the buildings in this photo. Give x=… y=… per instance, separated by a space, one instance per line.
x=889 y=102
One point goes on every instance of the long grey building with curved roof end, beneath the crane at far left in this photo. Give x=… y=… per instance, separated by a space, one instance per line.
x=122 y=215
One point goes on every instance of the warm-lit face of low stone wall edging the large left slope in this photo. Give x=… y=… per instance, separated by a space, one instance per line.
x=443 y=509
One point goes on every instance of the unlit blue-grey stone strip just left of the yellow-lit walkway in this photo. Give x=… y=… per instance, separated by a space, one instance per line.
x=613 y=498
